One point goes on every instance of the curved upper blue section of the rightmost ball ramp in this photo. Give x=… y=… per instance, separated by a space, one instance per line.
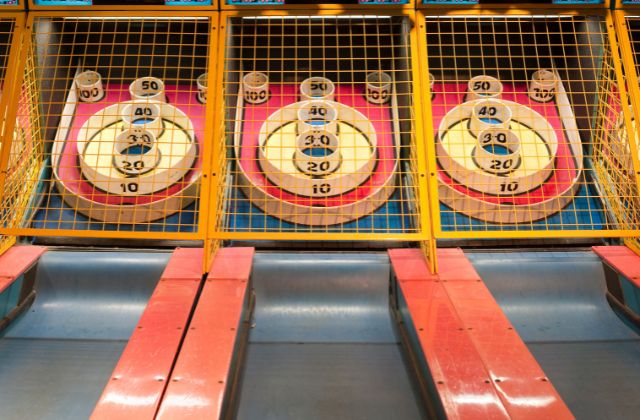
x=552 y=296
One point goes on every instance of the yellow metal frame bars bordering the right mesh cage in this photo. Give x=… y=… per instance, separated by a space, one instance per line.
x=430 y=131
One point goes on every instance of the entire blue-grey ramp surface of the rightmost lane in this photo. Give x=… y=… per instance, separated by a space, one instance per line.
x=556 y=301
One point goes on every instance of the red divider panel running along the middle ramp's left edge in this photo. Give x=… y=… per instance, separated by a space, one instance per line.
x=203 y=368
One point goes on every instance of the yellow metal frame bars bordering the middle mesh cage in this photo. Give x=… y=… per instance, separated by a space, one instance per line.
x=215 y=229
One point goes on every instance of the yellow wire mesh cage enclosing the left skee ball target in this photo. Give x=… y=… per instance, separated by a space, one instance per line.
x=114 y=107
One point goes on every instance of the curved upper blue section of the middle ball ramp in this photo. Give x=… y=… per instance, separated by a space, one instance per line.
x=321 y=297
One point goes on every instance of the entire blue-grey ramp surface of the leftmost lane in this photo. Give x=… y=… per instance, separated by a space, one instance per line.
x=56 y=359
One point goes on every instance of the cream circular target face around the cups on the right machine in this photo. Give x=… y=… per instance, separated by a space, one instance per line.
x=538 y=148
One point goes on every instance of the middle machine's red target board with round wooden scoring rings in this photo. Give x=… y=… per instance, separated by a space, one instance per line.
x=310 y=192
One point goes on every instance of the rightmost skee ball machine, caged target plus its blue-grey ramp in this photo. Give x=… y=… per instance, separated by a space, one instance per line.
x=529 y=148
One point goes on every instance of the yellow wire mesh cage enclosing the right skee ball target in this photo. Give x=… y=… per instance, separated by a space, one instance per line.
x=529 y=130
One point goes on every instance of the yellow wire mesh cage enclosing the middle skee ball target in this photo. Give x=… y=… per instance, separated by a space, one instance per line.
x=320 y=130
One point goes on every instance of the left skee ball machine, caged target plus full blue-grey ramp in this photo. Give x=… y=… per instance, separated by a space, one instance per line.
x=108 y=118
